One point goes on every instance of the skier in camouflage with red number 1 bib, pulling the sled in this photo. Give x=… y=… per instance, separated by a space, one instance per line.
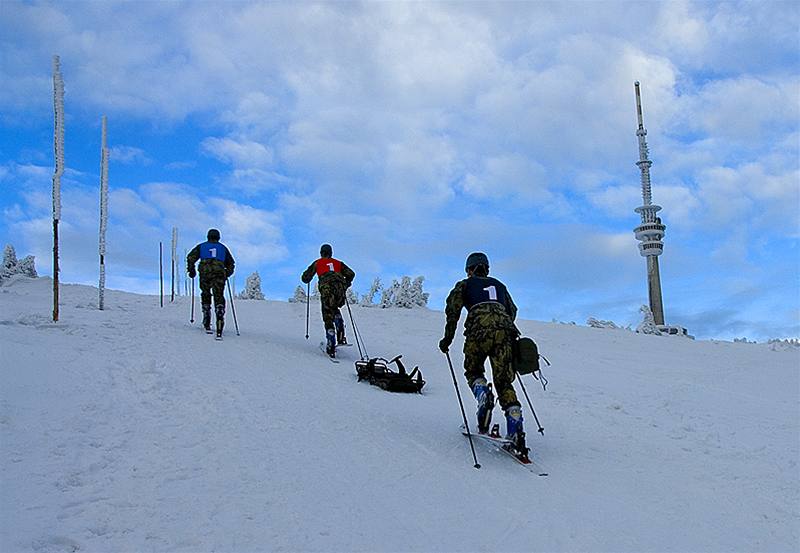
x=335 y=277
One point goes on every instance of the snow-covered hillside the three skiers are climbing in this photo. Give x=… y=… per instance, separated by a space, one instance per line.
x=131 y=430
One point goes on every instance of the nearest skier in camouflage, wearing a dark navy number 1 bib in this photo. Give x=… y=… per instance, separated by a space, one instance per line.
x=489 y=331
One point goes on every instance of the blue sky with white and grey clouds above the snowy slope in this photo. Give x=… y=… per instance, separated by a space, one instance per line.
x=410 y=134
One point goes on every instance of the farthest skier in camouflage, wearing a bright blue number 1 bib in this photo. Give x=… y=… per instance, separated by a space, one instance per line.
x=216 y=265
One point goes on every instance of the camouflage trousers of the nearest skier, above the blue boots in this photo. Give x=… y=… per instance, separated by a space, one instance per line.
x=497 y=346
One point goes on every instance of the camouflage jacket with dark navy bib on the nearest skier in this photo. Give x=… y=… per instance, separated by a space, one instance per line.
x=497 y=311
